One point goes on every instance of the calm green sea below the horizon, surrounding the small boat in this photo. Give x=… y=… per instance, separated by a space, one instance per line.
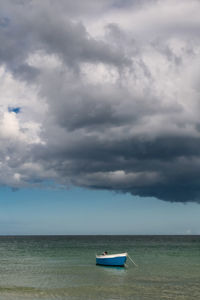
x=64 y=267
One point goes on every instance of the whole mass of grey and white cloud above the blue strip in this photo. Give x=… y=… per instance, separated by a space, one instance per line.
x=121 y=106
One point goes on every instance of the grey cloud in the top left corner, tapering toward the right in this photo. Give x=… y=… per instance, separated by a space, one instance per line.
x=32 y=27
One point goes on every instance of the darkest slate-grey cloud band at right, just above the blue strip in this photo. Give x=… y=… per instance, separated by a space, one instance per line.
x=167 y=169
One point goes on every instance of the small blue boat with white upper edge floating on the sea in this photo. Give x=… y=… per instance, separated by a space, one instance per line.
x=117 y=260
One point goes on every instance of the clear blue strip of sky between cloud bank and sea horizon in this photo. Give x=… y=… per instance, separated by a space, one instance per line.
x=82 y=211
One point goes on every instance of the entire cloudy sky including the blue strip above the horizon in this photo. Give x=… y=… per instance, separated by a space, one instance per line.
x=99 y=117
